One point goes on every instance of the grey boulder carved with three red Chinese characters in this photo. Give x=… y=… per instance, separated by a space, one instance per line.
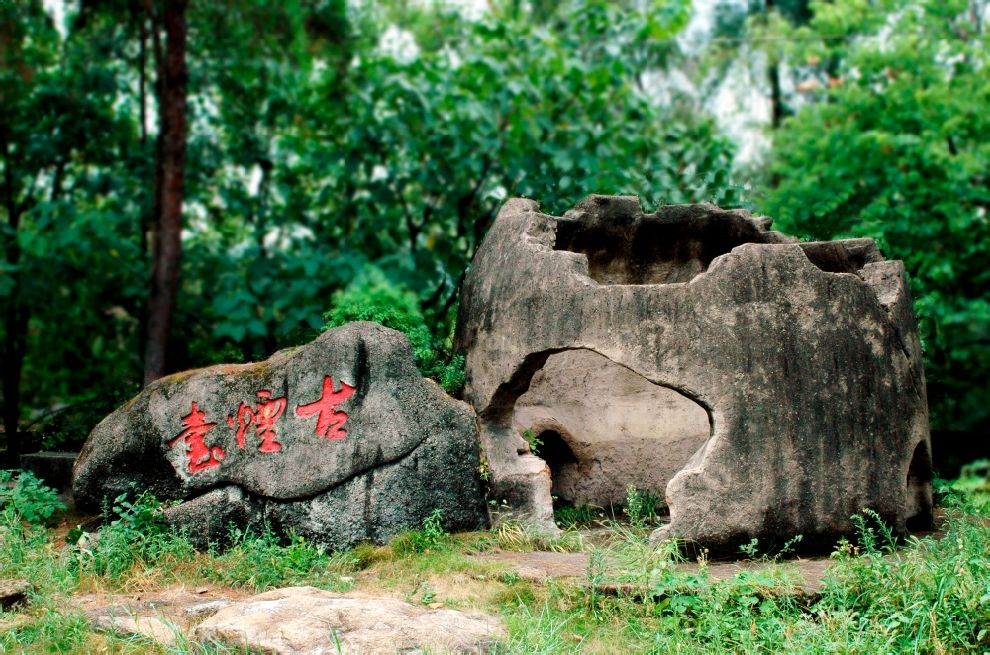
x=406 y=448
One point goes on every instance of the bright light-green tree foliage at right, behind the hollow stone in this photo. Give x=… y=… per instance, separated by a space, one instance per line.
x=895 y=147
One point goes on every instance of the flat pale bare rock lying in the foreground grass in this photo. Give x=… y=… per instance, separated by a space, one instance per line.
x=305 y=620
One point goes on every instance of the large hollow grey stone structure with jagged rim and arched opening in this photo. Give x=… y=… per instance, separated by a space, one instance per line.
x=804 y=356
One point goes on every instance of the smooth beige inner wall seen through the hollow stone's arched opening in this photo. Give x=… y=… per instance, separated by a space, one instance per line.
x=601 y=426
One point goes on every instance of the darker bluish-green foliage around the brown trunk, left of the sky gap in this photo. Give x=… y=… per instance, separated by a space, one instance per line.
x=317 y=152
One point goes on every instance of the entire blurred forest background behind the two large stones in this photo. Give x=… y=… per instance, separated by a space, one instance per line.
x=184 y=182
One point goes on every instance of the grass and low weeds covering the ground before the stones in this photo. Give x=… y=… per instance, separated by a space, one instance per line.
x=928 y=595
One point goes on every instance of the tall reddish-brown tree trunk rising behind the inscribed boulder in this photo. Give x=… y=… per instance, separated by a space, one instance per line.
x=170 y=168
